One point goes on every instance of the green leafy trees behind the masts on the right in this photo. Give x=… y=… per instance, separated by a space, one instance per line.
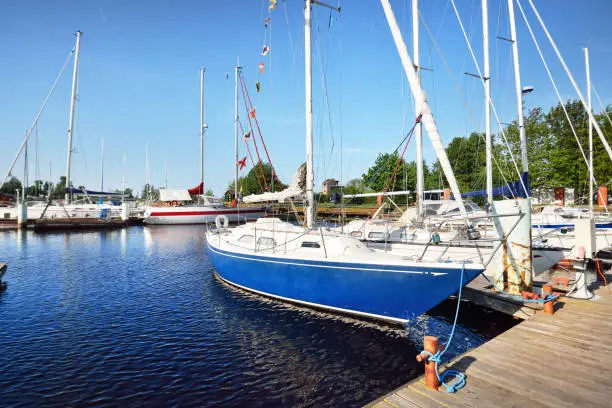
x=555 y=160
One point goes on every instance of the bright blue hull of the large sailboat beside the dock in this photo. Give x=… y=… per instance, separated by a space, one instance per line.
x=386 y=292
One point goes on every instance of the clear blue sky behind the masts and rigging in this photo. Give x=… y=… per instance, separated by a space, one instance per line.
x=139 y=81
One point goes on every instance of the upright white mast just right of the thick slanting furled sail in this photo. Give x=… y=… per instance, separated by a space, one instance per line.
x=487 y=82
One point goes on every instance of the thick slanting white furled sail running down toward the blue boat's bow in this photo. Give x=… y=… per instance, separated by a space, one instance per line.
x=427 y=117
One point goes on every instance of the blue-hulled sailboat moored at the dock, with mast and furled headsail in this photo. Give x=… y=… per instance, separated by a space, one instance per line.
x=320 y=268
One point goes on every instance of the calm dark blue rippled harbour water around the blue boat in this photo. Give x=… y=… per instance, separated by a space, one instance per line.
x=136 y=318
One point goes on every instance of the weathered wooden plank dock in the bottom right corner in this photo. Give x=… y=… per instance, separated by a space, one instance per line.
x=563 y=360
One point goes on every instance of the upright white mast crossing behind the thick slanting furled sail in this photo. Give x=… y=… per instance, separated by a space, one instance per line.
x=417 y=108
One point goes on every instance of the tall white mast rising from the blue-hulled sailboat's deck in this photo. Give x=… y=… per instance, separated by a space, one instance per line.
x=308 y=84
